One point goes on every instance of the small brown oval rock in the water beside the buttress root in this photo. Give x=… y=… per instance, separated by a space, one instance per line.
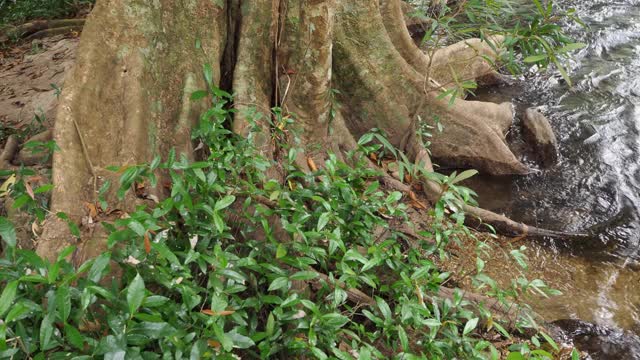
x=540 y=137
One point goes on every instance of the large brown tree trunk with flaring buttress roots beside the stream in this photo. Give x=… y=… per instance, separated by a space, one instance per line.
x=128 y=97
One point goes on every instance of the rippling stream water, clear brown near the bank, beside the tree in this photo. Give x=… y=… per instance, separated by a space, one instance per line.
x=595 y=186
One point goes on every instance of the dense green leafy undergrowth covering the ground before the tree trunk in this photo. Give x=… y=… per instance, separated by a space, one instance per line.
x=209 y=272
